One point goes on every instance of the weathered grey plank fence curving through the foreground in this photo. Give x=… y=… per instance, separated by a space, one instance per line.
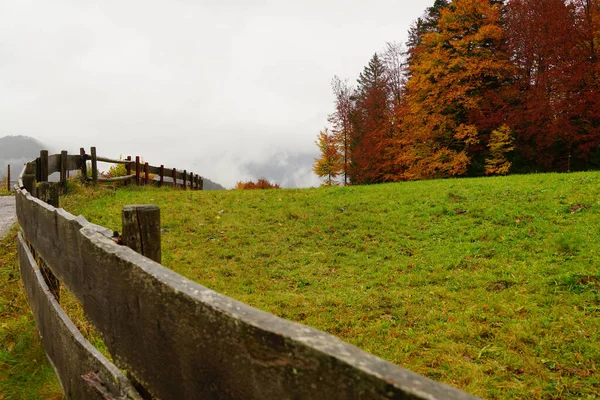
x=177 y=339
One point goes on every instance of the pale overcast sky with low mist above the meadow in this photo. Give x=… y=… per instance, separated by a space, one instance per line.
x=229 y=89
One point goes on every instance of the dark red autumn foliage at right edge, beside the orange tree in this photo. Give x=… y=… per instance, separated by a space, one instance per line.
x=553 y=44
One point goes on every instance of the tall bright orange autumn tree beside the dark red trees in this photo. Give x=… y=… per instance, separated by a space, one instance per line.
x=455 y=73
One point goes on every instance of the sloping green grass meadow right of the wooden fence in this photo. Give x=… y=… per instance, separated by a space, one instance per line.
x=490 y=285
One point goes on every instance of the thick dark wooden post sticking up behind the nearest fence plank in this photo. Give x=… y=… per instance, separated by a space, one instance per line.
x=141 y=230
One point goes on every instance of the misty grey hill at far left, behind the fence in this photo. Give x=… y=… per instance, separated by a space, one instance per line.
x=16 y=151
